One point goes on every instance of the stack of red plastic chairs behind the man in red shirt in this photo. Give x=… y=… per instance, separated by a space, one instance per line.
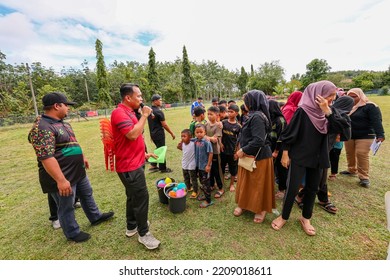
x=108 y=143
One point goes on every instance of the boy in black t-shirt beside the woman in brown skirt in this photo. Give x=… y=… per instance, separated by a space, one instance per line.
x=230 y=131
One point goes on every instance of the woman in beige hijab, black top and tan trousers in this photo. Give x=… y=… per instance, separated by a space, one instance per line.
x=366 y=125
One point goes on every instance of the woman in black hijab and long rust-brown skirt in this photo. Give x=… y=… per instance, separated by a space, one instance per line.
x=255 y=190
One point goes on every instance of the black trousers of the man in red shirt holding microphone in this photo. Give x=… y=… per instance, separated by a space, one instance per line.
x=137 y=200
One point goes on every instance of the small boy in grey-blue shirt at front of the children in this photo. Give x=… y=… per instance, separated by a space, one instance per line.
x=203 y=158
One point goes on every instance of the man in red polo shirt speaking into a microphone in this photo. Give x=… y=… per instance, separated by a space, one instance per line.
x=130 y=158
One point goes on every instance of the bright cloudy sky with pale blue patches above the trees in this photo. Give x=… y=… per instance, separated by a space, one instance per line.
x=349 y=35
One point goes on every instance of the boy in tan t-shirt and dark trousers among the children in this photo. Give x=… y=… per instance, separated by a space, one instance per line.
x=214 y=134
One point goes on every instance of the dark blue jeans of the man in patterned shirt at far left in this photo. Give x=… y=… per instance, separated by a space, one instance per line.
x=65 y=205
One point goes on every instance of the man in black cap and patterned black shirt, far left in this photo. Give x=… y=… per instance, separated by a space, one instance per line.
x=62 y=166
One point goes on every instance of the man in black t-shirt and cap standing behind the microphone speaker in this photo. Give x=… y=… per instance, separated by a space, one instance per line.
x=157 y=125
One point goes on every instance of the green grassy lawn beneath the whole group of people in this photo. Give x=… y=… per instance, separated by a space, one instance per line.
x=357 y=231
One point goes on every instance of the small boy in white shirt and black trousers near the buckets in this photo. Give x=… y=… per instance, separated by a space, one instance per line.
x=188 y=162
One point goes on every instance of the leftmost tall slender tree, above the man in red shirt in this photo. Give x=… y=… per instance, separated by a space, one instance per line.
x=104 y=97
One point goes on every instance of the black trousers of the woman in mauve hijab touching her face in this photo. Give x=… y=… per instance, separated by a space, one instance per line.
x=294 y=179
